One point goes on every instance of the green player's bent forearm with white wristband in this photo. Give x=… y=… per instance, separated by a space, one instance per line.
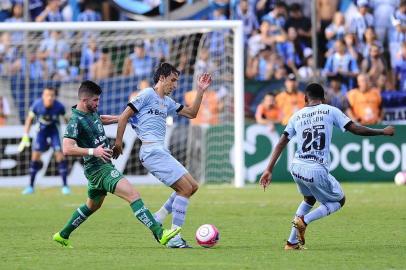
x=70 y=148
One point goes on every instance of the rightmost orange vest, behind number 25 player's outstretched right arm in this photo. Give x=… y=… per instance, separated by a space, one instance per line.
x=366 y=106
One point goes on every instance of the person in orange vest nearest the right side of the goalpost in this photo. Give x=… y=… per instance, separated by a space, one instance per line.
x=267 y=112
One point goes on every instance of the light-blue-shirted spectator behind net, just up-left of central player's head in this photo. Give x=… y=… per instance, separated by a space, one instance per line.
x=139 y=63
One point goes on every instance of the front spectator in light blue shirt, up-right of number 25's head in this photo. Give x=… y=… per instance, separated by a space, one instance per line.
x=341 y=63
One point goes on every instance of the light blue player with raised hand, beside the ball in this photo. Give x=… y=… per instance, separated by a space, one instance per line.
x=149 y=110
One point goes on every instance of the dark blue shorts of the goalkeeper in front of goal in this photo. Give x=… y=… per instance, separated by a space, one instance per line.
x=46 y=138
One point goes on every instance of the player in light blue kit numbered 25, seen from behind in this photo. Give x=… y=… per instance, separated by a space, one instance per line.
x=312 y=128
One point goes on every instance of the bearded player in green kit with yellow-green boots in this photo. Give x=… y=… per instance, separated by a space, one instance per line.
x=85 y=136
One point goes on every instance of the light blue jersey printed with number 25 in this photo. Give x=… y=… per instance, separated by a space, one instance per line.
x=313 y=127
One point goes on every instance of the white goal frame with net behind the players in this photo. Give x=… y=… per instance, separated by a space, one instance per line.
x=121 y=57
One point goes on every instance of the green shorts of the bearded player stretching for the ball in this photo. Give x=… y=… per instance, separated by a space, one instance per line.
x=102 y=181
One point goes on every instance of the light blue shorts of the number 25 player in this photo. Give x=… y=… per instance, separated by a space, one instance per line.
x=317 y=182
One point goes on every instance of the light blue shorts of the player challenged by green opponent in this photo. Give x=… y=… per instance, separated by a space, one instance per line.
x=161 y=164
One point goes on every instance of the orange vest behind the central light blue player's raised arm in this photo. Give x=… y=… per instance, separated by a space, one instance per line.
x=210 y=107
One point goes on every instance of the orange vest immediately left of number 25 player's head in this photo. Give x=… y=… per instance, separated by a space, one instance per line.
x=289 y=104
